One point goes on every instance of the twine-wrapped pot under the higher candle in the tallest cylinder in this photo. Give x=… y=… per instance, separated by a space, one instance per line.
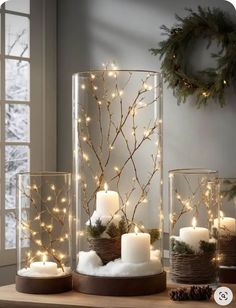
x=108 y=249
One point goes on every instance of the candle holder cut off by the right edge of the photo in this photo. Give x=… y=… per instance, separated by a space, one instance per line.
x=225 y=229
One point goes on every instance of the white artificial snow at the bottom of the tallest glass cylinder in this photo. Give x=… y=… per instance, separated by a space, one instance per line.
x=91 y=264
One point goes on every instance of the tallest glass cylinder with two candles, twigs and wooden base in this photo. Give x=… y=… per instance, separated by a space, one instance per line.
x=117 y=118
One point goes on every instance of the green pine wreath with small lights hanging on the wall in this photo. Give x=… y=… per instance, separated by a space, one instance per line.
x=209 y=84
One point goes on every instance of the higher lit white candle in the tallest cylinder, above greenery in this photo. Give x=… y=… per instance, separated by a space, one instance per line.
x=107 y=202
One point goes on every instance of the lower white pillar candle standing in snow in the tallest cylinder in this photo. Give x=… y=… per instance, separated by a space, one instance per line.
x=135 y=247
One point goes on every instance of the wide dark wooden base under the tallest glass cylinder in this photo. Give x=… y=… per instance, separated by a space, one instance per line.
x=119 y=286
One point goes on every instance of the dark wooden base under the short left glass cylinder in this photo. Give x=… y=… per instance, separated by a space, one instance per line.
x=46 y=285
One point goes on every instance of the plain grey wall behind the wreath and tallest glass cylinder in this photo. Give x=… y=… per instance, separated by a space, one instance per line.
x=92 y=32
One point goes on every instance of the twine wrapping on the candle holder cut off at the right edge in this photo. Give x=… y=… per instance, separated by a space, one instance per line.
x=227 y=250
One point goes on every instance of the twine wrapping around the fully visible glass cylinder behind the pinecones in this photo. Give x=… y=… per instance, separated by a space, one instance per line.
x=193 y=268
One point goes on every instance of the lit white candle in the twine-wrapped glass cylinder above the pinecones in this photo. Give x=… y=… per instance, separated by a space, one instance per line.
x=193 y=235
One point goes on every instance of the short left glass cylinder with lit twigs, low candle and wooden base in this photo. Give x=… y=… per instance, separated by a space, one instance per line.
x=44 y=233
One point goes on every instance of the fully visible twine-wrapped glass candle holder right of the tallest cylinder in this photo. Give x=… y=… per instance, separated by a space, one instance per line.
x=193 y=198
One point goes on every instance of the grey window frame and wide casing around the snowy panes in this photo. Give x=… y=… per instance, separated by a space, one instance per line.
x=42 y=101
